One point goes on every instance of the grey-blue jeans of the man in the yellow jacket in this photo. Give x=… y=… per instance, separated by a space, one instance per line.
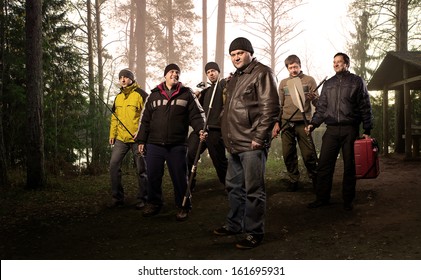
x=118 y=153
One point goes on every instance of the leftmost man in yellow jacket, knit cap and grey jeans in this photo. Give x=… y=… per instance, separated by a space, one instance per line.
x=127 y=109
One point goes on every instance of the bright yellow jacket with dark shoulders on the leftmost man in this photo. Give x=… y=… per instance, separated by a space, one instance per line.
x=128 y=106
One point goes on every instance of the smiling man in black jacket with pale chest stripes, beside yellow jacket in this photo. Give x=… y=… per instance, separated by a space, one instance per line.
x=169 y=110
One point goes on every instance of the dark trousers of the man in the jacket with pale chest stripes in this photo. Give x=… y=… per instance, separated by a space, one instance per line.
x=176 y=159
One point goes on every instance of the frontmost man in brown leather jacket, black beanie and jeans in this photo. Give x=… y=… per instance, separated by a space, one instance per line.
x=251 y=108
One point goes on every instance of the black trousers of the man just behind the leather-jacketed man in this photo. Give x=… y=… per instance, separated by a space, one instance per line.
x=216 y=148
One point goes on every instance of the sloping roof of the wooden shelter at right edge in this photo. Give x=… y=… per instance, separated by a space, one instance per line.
x=391 y=70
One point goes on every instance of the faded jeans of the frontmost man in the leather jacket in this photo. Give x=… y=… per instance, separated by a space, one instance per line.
x=246 y=191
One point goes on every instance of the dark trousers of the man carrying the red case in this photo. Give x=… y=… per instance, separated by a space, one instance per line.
x=334 y=139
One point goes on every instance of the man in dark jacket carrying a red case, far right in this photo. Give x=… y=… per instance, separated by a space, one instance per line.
x=343 y=105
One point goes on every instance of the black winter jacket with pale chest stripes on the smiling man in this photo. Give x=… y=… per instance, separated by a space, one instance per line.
x=165 y=120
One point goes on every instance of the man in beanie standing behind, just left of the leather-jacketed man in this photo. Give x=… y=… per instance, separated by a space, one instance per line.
x=214 y=142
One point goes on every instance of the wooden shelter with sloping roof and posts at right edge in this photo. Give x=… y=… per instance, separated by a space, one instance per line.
x=399 y=71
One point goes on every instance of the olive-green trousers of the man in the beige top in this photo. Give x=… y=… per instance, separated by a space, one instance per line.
x=292 y=134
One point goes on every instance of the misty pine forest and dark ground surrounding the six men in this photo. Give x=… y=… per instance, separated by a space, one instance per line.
x=58 y=62
